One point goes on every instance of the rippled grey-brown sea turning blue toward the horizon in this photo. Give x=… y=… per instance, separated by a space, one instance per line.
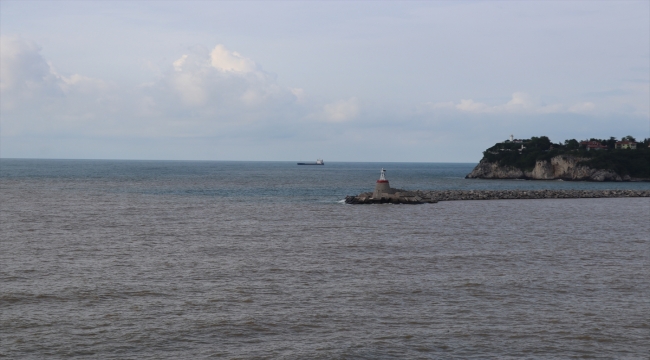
x=108 y=259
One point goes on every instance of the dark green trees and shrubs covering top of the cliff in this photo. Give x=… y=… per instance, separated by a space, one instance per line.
x=523 y=154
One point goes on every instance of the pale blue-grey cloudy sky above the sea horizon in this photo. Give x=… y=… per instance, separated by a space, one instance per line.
x=425 y=81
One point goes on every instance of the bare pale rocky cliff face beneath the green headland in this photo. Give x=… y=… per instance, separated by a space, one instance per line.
x=563 y=167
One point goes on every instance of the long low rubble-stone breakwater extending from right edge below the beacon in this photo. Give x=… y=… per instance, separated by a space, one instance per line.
x=433 y=196
